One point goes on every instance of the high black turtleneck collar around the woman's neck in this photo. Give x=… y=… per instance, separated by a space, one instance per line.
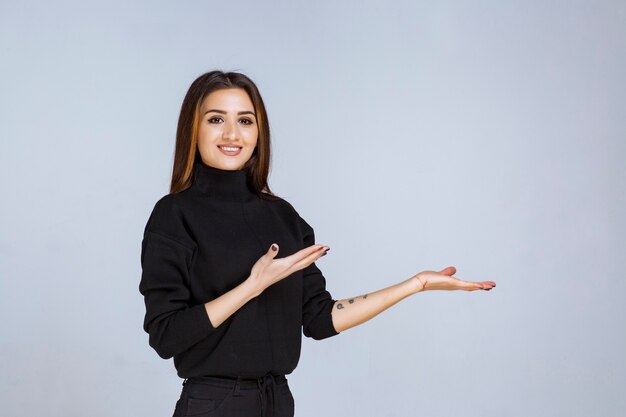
x=220 y=183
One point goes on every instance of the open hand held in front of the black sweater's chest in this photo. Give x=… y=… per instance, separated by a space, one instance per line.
x=268 y=270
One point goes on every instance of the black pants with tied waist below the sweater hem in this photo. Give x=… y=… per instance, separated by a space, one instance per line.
x=268 y=396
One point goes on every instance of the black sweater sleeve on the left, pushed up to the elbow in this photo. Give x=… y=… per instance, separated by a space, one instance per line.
x=172 y=323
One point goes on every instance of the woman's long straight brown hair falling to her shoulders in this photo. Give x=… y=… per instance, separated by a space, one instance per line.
x=187 y=154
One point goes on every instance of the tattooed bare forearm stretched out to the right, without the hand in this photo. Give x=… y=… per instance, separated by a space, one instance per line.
x=351 y=312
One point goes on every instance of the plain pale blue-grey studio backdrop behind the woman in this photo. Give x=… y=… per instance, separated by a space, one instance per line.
x=489 y=135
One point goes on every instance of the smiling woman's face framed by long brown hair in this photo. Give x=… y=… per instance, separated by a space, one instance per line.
x=228 y=129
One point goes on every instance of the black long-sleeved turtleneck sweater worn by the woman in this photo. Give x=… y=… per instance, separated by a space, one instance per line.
x=202 y=242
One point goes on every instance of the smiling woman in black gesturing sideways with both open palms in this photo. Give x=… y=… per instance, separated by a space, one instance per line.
x=228 y=268
